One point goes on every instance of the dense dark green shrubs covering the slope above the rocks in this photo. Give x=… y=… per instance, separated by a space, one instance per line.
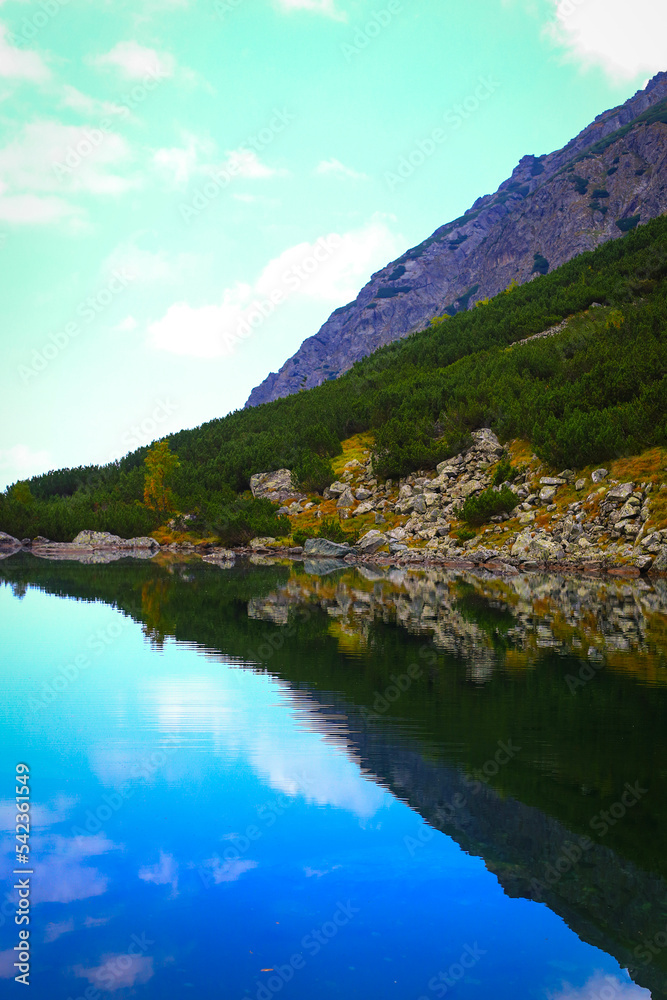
x=595 y=391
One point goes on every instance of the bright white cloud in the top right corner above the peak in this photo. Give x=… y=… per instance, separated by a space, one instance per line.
x=624 y=39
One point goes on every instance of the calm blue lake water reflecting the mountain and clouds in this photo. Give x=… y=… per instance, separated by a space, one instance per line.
x=265 y=781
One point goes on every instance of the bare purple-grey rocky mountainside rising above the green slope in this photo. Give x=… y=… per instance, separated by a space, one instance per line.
x=612 y=176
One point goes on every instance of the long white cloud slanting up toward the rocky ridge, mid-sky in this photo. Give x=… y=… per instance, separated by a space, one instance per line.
x=330 y=270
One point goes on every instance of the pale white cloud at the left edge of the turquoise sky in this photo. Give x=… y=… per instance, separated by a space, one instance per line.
x=51 y=157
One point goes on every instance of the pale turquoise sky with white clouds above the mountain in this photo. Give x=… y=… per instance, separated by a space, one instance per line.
x=188 y=188
